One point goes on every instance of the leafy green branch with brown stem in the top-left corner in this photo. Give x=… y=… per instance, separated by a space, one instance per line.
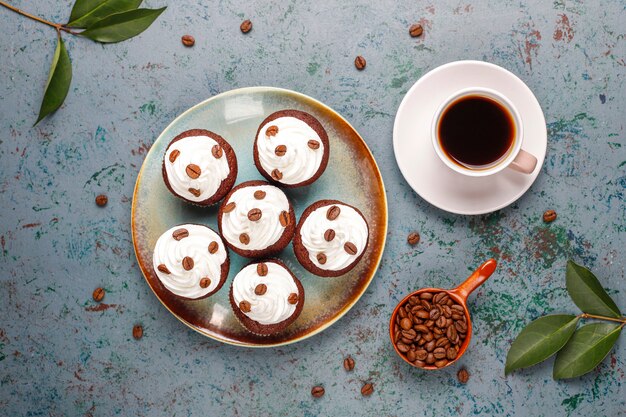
x=104 y=21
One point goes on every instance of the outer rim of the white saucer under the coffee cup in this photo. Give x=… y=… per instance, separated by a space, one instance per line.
x=410 y=92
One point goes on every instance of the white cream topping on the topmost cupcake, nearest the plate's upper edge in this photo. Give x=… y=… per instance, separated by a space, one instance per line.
x=300 y=162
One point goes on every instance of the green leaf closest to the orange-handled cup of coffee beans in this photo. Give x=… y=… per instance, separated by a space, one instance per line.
x=539 y=340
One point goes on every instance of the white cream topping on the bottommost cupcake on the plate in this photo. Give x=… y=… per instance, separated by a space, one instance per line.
x=273 y=306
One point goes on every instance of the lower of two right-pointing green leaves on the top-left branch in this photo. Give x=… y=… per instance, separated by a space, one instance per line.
x=121 y=26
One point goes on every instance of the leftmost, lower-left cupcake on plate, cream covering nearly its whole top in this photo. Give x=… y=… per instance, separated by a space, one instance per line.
x=191 y=261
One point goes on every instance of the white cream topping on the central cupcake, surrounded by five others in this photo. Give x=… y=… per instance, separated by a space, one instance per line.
x=262 y=233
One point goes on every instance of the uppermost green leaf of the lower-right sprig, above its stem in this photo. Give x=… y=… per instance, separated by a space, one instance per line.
x=587 y=292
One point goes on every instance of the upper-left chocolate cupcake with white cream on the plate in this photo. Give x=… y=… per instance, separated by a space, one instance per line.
x=199 y=166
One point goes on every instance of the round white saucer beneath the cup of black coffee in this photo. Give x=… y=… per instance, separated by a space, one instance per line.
x=428 y=175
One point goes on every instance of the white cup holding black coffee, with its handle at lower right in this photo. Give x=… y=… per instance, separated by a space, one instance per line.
x=515 y=157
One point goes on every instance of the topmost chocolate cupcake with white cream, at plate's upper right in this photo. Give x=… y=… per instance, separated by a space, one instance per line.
x=291 y=148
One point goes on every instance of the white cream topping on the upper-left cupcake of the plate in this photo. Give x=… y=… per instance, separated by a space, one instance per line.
x=196 y=150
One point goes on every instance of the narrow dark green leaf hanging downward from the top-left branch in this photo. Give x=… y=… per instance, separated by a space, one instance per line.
x=59 y=81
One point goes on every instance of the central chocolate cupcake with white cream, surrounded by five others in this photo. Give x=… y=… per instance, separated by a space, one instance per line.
x=256 y=219
